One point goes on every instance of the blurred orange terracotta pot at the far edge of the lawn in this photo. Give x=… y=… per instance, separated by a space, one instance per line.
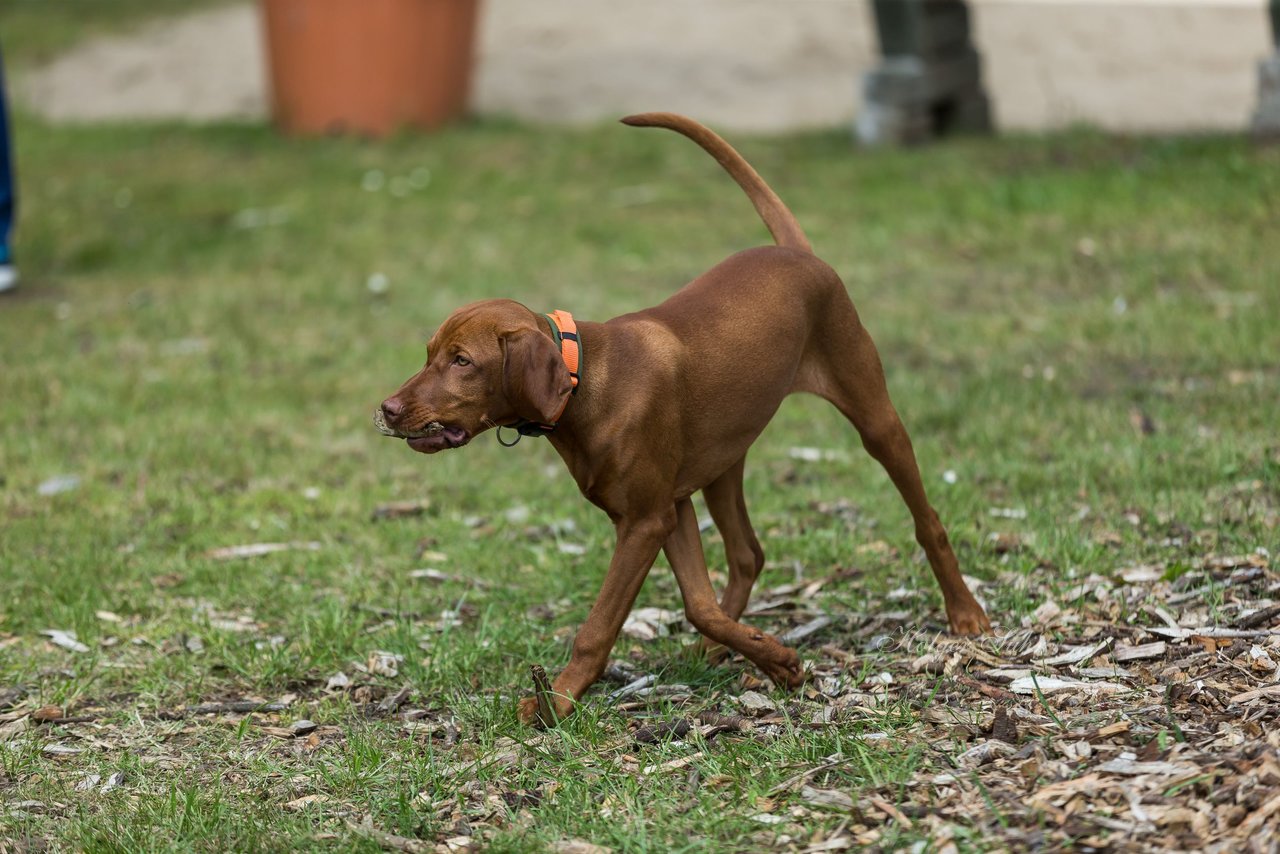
x=368 y=66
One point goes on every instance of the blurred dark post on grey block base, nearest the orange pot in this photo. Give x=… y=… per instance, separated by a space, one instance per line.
x=929 y=83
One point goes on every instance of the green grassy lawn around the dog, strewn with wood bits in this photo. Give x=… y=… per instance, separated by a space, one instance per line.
x=1080 y=331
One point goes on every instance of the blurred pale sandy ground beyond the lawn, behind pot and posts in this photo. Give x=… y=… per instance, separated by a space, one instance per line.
x=737 y=65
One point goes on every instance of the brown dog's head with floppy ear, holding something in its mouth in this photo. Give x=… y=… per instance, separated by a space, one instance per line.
x=490 y=364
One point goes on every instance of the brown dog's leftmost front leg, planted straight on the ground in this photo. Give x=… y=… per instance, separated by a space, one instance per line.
x=638 y=546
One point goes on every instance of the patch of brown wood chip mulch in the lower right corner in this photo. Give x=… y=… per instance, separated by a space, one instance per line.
x=1141 y=716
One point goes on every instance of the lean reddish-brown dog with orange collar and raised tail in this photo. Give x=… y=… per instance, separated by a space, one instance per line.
x=670 y=401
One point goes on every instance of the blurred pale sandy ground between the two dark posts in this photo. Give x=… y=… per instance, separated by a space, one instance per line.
x=1123 y=65
